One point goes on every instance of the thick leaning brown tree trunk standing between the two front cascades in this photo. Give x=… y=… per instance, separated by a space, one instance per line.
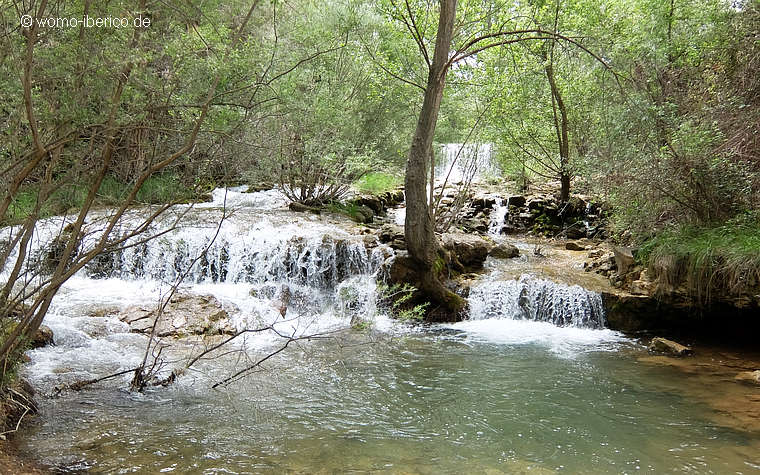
x=419 y=225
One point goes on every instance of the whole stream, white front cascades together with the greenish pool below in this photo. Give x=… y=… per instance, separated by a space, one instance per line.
x=532 y=382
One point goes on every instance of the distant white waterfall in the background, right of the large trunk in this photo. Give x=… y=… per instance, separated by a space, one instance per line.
x=474 y=161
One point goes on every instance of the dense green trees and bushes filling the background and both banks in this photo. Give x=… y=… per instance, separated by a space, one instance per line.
x=651 y=105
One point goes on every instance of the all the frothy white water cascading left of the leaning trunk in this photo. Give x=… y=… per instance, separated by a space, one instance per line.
x=267 y=266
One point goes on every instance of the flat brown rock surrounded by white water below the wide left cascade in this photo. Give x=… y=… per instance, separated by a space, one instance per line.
x=185 y=314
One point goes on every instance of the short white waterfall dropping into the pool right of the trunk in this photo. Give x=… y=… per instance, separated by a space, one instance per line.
x=535 y=299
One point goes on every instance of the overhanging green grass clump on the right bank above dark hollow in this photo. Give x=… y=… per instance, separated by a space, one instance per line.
x=717 y=259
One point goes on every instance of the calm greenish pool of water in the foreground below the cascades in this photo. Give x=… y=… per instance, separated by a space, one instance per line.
x=433 y=402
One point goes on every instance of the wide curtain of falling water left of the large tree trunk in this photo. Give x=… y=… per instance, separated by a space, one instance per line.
x=263 y=253
